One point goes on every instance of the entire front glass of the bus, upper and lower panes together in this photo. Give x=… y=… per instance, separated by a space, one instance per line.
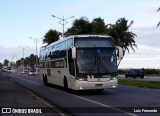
x=95 y=55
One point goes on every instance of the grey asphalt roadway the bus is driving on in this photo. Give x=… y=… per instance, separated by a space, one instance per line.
x=124 y=100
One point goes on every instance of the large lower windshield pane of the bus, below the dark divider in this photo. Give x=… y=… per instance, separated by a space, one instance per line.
x=97 y=60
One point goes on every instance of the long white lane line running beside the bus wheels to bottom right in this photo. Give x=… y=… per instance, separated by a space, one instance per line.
x=104 y=105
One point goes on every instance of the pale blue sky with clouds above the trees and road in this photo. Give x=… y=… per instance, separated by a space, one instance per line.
x=22 y=19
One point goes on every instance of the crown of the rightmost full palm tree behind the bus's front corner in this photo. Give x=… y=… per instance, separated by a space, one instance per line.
x=121 y=34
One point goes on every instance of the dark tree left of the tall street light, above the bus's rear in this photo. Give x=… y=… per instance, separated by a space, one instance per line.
x=51 y=36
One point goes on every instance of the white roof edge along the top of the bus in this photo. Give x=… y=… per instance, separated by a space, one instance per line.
x=73 y=36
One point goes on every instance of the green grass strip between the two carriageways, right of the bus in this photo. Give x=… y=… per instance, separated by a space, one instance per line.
x=138 y=83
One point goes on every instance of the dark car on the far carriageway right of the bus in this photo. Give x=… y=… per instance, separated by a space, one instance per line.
x=135 y=73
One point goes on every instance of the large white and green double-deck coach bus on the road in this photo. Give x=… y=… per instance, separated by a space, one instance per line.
x=80 y=62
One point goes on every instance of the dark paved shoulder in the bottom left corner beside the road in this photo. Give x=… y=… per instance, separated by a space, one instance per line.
x=18 y=100
